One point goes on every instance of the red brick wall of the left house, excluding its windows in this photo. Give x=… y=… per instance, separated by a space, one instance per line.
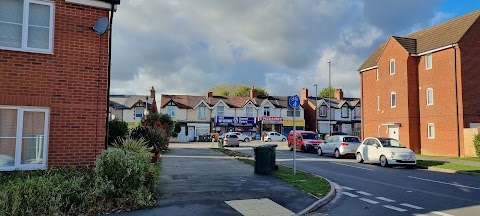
x=66 y=82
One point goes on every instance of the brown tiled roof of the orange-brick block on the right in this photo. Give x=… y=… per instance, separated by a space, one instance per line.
x=443 y=34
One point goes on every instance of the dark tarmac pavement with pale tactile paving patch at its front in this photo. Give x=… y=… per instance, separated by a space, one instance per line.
x=196 y=180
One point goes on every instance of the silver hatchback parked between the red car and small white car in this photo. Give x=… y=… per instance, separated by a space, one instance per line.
x=339 y=145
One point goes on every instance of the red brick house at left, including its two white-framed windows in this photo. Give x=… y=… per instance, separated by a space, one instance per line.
x=53 y=86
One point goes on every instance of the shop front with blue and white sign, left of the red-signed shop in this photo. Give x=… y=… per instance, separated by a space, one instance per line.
x=244 y=125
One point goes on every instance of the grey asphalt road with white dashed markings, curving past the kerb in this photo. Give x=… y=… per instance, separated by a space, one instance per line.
x=367 y=189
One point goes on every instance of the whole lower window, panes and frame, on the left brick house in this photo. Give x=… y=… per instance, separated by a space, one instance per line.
x=23 y=138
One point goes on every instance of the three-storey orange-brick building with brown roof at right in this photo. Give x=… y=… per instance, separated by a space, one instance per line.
x=421 y=88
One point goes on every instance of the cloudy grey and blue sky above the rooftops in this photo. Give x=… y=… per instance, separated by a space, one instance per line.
x=282 y=46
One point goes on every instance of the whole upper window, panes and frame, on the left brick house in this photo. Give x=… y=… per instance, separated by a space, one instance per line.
x=26 y=25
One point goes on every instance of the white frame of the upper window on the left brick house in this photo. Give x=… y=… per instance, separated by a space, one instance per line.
x=24 y=43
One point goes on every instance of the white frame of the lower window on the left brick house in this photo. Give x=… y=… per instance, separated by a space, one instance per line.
x=19 y=139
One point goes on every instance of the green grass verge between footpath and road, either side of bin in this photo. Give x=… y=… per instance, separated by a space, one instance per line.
x=304 y=181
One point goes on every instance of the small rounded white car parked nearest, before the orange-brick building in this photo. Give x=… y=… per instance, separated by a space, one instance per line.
x=386 y=151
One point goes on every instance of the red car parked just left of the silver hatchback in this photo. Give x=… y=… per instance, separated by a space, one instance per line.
x=306 y=141
